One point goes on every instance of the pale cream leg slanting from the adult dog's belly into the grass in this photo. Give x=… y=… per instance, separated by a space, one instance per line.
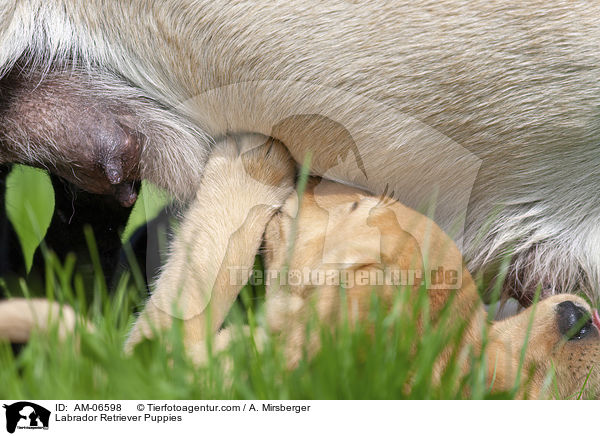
x=246 y=179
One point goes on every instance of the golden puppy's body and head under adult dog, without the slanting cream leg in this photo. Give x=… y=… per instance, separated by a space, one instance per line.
x=410 y=242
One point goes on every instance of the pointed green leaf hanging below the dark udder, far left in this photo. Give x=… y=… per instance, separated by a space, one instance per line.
x=29 y=206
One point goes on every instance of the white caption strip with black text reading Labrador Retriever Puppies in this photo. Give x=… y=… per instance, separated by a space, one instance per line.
x=104 y=418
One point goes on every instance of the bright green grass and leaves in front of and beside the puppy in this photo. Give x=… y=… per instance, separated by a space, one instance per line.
x=387 y=358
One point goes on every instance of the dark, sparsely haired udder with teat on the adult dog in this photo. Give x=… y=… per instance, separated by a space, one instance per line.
x=56 y=122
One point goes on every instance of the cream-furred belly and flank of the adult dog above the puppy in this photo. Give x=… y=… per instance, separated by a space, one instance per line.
x=437 y=96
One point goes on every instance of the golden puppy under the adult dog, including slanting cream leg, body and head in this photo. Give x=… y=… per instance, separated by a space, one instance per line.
x=335 y=236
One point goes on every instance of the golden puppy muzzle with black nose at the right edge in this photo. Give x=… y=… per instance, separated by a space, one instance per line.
x=561 y=333
